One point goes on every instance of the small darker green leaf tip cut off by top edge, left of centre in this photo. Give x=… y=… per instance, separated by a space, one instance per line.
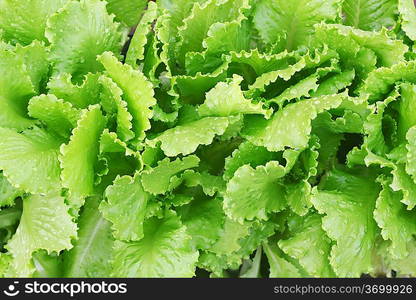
x=126 y=11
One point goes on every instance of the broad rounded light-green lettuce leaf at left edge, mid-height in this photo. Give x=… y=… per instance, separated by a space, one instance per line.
x=29 y=160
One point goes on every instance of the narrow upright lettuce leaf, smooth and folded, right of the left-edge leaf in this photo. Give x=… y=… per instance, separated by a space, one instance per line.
x=79 y=156
